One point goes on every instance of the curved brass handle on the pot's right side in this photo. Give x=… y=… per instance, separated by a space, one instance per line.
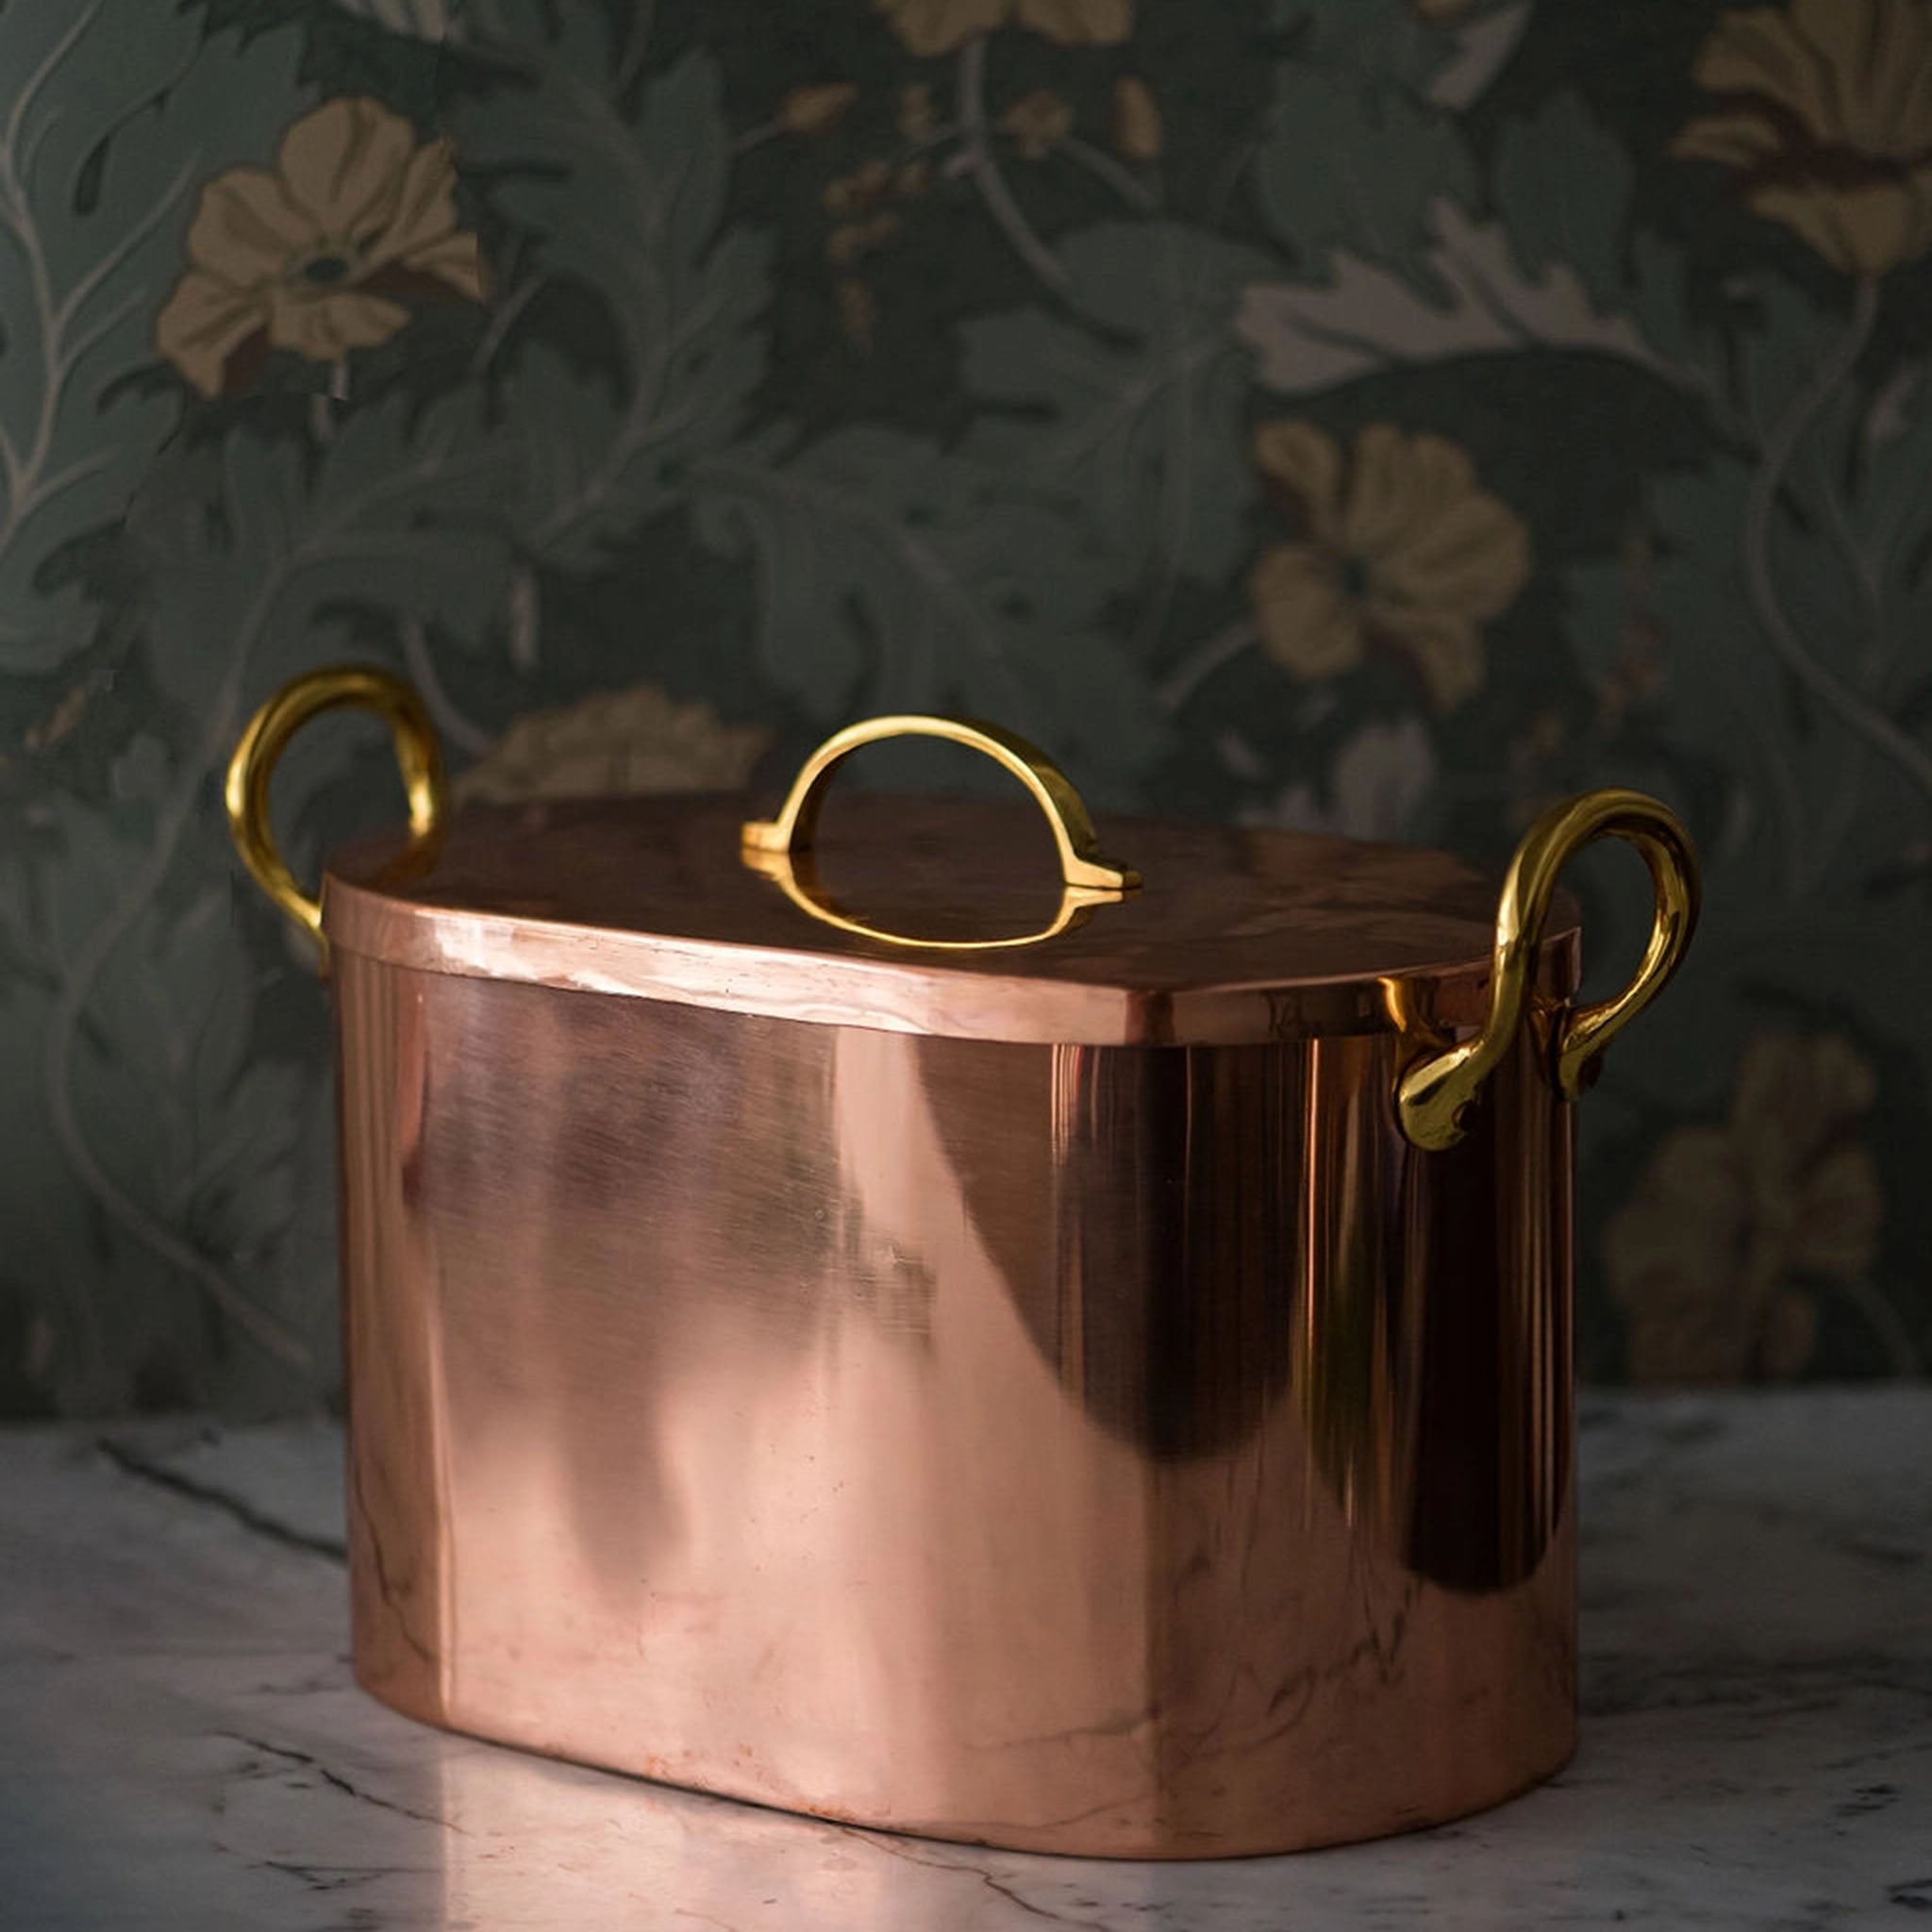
x=1435 y=1096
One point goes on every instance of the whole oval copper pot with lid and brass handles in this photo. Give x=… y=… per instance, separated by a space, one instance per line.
x=839 y=1326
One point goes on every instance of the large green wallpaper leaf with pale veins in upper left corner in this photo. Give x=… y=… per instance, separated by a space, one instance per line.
x=109 y=115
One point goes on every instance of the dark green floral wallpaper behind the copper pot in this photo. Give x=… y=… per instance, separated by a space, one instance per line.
x=1369 y=414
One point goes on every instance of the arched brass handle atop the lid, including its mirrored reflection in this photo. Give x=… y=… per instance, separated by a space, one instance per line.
x=781 y=847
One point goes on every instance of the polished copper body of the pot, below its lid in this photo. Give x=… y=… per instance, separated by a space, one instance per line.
x=1123 y=1450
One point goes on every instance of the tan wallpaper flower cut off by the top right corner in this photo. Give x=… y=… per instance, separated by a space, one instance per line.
x=1827 y=113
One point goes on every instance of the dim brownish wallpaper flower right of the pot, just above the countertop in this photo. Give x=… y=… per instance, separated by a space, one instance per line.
x=1709 y=1253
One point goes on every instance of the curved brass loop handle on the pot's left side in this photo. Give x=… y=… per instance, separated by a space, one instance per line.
x=331 y=689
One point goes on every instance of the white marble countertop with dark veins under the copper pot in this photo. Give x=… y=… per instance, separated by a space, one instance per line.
x=183 y=1747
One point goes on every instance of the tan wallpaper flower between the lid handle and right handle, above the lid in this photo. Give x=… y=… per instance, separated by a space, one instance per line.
x=1398 y=550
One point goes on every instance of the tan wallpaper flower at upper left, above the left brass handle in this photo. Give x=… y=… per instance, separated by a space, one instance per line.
x=324 y=252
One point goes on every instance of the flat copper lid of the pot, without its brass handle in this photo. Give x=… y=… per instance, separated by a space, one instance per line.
x=1234 y=936
